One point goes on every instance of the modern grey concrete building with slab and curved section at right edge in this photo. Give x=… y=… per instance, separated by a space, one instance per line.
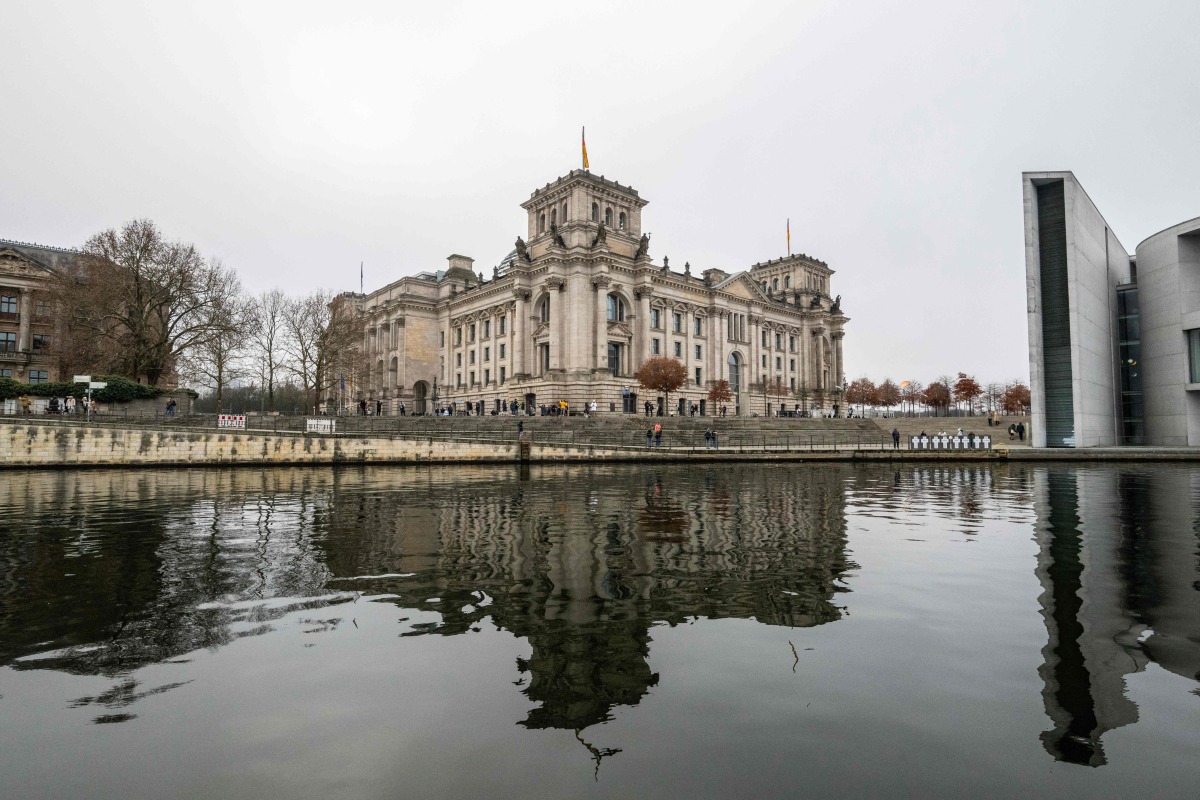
x=1114 y=339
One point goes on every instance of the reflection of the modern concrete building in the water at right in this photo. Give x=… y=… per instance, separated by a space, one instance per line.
x=1118 y=562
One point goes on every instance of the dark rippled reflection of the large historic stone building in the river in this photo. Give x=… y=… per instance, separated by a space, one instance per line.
x=585 y=591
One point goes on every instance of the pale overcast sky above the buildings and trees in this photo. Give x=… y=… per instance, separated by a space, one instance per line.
x=295 y=141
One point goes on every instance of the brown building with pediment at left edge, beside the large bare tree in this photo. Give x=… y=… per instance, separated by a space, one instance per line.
x=28 y=323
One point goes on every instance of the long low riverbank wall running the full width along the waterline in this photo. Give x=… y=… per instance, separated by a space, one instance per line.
x=33 y=446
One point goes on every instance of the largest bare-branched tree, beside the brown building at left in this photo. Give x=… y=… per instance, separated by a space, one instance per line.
x=145 y=300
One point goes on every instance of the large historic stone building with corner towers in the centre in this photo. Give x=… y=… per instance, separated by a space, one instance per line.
x=574 y=312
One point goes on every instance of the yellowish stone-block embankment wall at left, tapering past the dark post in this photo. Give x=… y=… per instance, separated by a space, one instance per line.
x=67 y=446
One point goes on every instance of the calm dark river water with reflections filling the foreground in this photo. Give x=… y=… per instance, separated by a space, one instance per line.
x=715 y=631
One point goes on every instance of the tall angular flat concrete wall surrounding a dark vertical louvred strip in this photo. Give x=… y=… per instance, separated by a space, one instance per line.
x=1096 y=264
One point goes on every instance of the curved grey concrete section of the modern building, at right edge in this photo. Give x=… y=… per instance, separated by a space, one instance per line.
x=1169 y=293
